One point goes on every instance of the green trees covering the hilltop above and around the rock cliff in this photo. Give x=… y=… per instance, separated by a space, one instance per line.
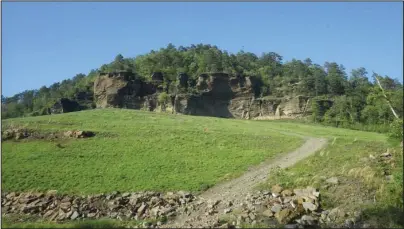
x=357 y=102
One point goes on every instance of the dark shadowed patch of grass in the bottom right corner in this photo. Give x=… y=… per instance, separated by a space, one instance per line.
x=386 y=217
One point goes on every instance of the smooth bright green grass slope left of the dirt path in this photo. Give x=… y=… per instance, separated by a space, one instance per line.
x=135 y=150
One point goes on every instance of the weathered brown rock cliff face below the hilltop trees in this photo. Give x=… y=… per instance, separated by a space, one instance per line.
x=215 y=94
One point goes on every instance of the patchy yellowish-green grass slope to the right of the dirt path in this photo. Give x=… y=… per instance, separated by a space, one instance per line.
x=352 y=157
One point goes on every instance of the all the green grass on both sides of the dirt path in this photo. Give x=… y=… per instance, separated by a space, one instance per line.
x=136 y=150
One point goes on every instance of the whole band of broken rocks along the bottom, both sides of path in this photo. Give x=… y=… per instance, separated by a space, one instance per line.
x=296 y=208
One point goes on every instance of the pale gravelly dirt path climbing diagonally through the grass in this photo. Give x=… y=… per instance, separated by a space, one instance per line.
x=236 y=189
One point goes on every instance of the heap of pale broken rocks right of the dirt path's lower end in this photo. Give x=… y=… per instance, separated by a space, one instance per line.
x=294 y=208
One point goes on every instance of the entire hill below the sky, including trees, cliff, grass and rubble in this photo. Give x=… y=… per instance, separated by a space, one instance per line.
x=180 y=137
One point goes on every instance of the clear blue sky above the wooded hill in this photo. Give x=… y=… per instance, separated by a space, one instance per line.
x=44 y=43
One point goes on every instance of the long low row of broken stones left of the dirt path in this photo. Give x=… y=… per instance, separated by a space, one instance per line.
x=125 y=206
